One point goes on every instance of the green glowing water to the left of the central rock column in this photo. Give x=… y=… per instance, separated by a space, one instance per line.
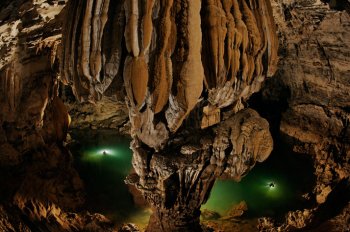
x=103 y=160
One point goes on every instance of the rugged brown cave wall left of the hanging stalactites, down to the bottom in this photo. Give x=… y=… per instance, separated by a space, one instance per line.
x=38 y=182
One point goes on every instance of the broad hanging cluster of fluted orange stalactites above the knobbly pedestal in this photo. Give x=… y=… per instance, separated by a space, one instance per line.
x=174 y=56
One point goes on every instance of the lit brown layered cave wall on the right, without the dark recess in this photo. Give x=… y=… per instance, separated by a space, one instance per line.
x=315 y=73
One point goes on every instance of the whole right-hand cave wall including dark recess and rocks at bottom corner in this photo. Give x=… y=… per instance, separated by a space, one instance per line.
x=311 y=89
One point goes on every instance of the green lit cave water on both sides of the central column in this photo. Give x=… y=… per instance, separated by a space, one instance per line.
x=103 y=160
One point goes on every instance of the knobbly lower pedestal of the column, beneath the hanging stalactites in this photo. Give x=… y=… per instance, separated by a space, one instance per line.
x=177 y=181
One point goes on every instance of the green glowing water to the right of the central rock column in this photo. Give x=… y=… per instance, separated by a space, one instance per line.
x=290 y=176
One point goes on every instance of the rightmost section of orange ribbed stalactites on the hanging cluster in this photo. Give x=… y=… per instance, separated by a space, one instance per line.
x=231 y=71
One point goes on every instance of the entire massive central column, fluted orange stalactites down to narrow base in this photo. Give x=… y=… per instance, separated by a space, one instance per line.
x=185 y=66
